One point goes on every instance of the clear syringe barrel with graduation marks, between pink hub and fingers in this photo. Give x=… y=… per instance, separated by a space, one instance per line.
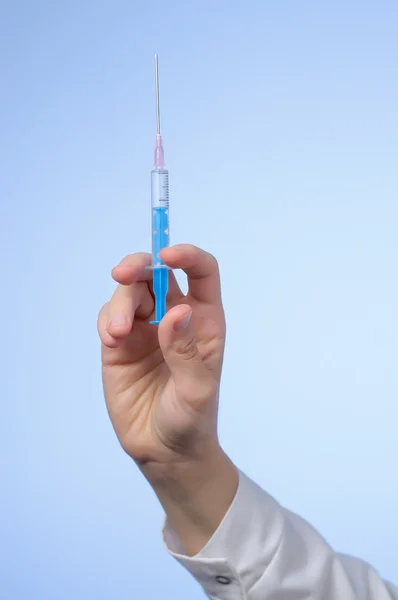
x=160 y=213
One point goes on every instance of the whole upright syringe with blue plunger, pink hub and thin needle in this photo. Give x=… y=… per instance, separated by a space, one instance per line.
x=160 y=216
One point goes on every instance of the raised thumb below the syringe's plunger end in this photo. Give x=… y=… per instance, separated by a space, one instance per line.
x=178 y=345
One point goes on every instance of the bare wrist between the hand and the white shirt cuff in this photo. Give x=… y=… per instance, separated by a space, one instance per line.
x=196 y=497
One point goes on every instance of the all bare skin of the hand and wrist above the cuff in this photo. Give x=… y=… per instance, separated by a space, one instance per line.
x=161 y=387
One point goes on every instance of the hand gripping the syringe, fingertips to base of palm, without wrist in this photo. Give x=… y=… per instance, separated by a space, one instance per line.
x=161 y=383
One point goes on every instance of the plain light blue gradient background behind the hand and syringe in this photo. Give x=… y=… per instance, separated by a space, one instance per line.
x=280 y=125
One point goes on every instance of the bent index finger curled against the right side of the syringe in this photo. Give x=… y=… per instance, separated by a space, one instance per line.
x=201 y=268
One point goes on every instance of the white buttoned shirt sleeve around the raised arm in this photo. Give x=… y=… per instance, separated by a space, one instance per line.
x=261 y=551
